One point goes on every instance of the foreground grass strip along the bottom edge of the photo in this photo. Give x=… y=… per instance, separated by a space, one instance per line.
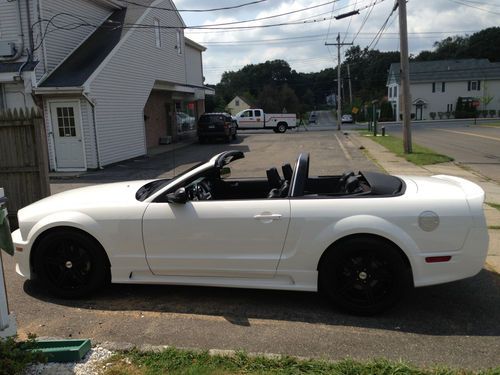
x=175 y=361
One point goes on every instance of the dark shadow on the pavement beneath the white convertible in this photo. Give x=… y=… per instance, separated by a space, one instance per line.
x=469 y=307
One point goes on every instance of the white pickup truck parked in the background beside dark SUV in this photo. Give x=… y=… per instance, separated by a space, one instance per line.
x=257 y=119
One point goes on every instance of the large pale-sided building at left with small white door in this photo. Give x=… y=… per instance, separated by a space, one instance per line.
x=111 y=78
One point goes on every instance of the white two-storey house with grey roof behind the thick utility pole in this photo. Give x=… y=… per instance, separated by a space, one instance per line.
x=435 y=86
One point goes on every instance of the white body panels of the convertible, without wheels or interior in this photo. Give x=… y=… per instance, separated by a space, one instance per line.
x=221 y=243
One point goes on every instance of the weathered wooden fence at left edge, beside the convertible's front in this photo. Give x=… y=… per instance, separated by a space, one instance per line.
x=23 y=159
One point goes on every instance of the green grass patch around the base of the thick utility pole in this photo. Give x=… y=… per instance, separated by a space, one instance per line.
x=420 y=156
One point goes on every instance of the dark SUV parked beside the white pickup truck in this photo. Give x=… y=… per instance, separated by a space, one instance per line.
x=216 y=125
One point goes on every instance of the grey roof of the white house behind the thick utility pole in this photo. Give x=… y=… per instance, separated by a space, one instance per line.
x=448 y=70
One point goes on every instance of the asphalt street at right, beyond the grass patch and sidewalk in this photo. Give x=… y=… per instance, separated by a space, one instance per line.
x=474 y=146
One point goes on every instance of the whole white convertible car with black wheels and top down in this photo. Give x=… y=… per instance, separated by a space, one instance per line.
x=360 y=238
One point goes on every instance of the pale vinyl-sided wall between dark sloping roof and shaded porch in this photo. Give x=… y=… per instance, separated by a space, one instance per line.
x=122 y=87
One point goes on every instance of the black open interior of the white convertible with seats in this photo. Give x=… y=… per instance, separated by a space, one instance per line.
x=291 y=183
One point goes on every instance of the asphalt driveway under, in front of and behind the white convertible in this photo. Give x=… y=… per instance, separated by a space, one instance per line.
x=455 y=324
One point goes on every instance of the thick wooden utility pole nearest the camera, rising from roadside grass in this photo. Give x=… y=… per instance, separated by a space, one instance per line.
x=405 y=76
